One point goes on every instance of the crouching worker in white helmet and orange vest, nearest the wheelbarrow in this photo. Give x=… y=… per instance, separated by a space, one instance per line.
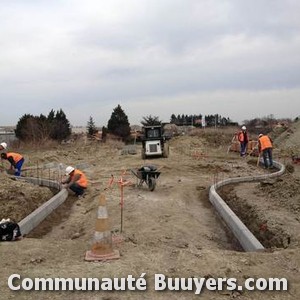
x=76 y=181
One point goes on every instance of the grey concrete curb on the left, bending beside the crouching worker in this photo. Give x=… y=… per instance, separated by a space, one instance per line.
x=37 y=216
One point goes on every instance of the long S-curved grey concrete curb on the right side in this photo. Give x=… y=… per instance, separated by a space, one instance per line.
x=247 y=240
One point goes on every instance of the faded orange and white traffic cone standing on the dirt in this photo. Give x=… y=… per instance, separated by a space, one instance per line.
x=102 y=243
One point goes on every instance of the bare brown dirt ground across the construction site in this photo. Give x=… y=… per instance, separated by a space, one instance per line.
x=173 y=230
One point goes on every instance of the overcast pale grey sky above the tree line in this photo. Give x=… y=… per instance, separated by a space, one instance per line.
x=238 y=58
